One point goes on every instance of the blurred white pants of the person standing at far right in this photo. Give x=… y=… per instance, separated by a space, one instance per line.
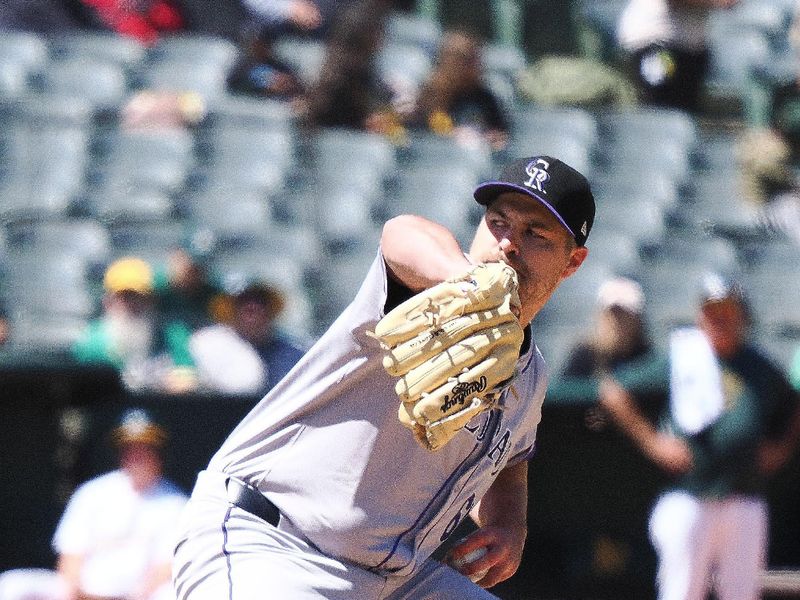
x=701 y=543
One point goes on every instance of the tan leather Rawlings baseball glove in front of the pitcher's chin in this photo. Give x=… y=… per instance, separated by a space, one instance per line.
x=454 y=348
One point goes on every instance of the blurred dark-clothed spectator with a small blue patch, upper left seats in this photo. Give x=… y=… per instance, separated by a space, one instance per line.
x=259 y=72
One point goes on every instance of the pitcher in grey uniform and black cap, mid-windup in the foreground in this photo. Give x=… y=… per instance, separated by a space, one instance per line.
x=329 y=488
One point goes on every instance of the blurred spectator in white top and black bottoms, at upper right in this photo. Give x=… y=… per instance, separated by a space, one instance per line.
x=667 y=47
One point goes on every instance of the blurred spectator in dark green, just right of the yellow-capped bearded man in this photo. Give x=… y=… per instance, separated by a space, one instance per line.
x=185 y=290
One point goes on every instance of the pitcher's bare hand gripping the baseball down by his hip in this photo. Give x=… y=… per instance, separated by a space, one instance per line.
x=504 y=546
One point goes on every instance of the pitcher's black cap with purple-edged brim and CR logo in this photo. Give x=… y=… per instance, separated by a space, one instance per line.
x=559 y=187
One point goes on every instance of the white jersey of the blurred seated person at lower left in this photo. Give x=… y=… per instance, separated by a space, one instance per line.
x=120 y=532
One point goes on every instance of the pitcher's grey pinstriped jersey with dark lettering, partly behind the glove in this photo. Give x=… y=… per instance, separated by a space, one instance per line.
x=325 y=445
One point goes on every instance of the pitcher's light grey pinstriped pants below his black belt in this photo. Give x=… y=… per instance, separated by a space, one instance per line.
x=225 y=553
